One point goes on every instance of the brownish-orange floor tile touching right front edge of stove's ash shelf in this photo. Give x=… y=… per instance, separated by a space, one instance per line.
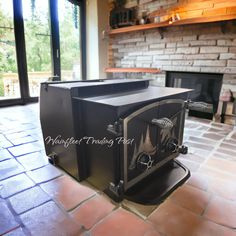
x=191 y=198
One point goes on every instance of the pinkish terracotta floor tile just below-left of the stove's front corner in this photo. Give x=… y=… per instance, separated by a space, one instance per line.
x=92 y=211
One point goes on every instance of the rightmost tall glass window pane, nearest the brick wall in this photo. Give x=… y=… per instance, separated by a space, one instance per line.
x=69 y=40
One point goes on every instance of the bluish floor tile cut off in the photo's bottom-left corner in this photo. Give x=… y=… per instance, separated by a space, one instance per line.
x=7 y=220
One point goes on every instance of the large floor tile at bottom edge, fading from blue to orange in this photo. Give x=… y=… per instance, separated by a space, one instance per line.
x=50 y=220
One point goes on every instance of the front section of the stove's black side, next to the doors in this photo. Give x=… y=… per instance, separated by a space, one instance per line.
x=102 y=155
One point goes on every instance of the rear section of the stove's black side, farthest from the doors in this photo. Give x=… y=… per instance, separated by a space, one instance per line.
x=57 y=122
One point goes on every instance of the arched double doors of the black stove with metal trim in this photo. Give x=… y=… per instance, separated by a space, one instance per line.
x=151 y=135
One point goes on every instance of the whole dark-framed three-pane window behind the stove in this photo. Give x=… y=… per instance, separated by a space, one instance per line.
x=47 y=43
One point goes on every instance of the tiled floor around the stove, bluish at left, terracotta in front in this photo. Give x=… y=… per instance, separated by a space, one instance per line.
x=39 y=199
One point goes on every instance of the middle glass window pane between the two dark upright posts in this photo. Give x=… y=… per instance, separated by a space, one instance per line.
x=37 y=39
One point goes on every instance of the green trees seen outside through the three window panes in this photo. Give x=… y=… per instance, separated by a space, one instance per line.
x=37 y=36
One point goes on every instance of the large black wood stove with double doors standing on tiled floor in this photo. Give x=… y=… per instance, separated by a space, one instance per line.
x=122 y=136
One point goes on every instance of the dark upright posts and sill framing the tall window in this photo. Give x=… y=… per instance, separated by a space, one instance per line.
x=20 y=48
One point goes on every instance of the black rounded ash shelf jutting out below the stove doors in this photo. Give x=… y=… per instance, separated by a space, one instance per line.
x=156 y=187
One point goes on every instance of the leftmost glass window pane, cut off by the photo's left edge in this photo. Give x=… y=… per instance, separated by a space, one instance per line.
x=9 y=81
